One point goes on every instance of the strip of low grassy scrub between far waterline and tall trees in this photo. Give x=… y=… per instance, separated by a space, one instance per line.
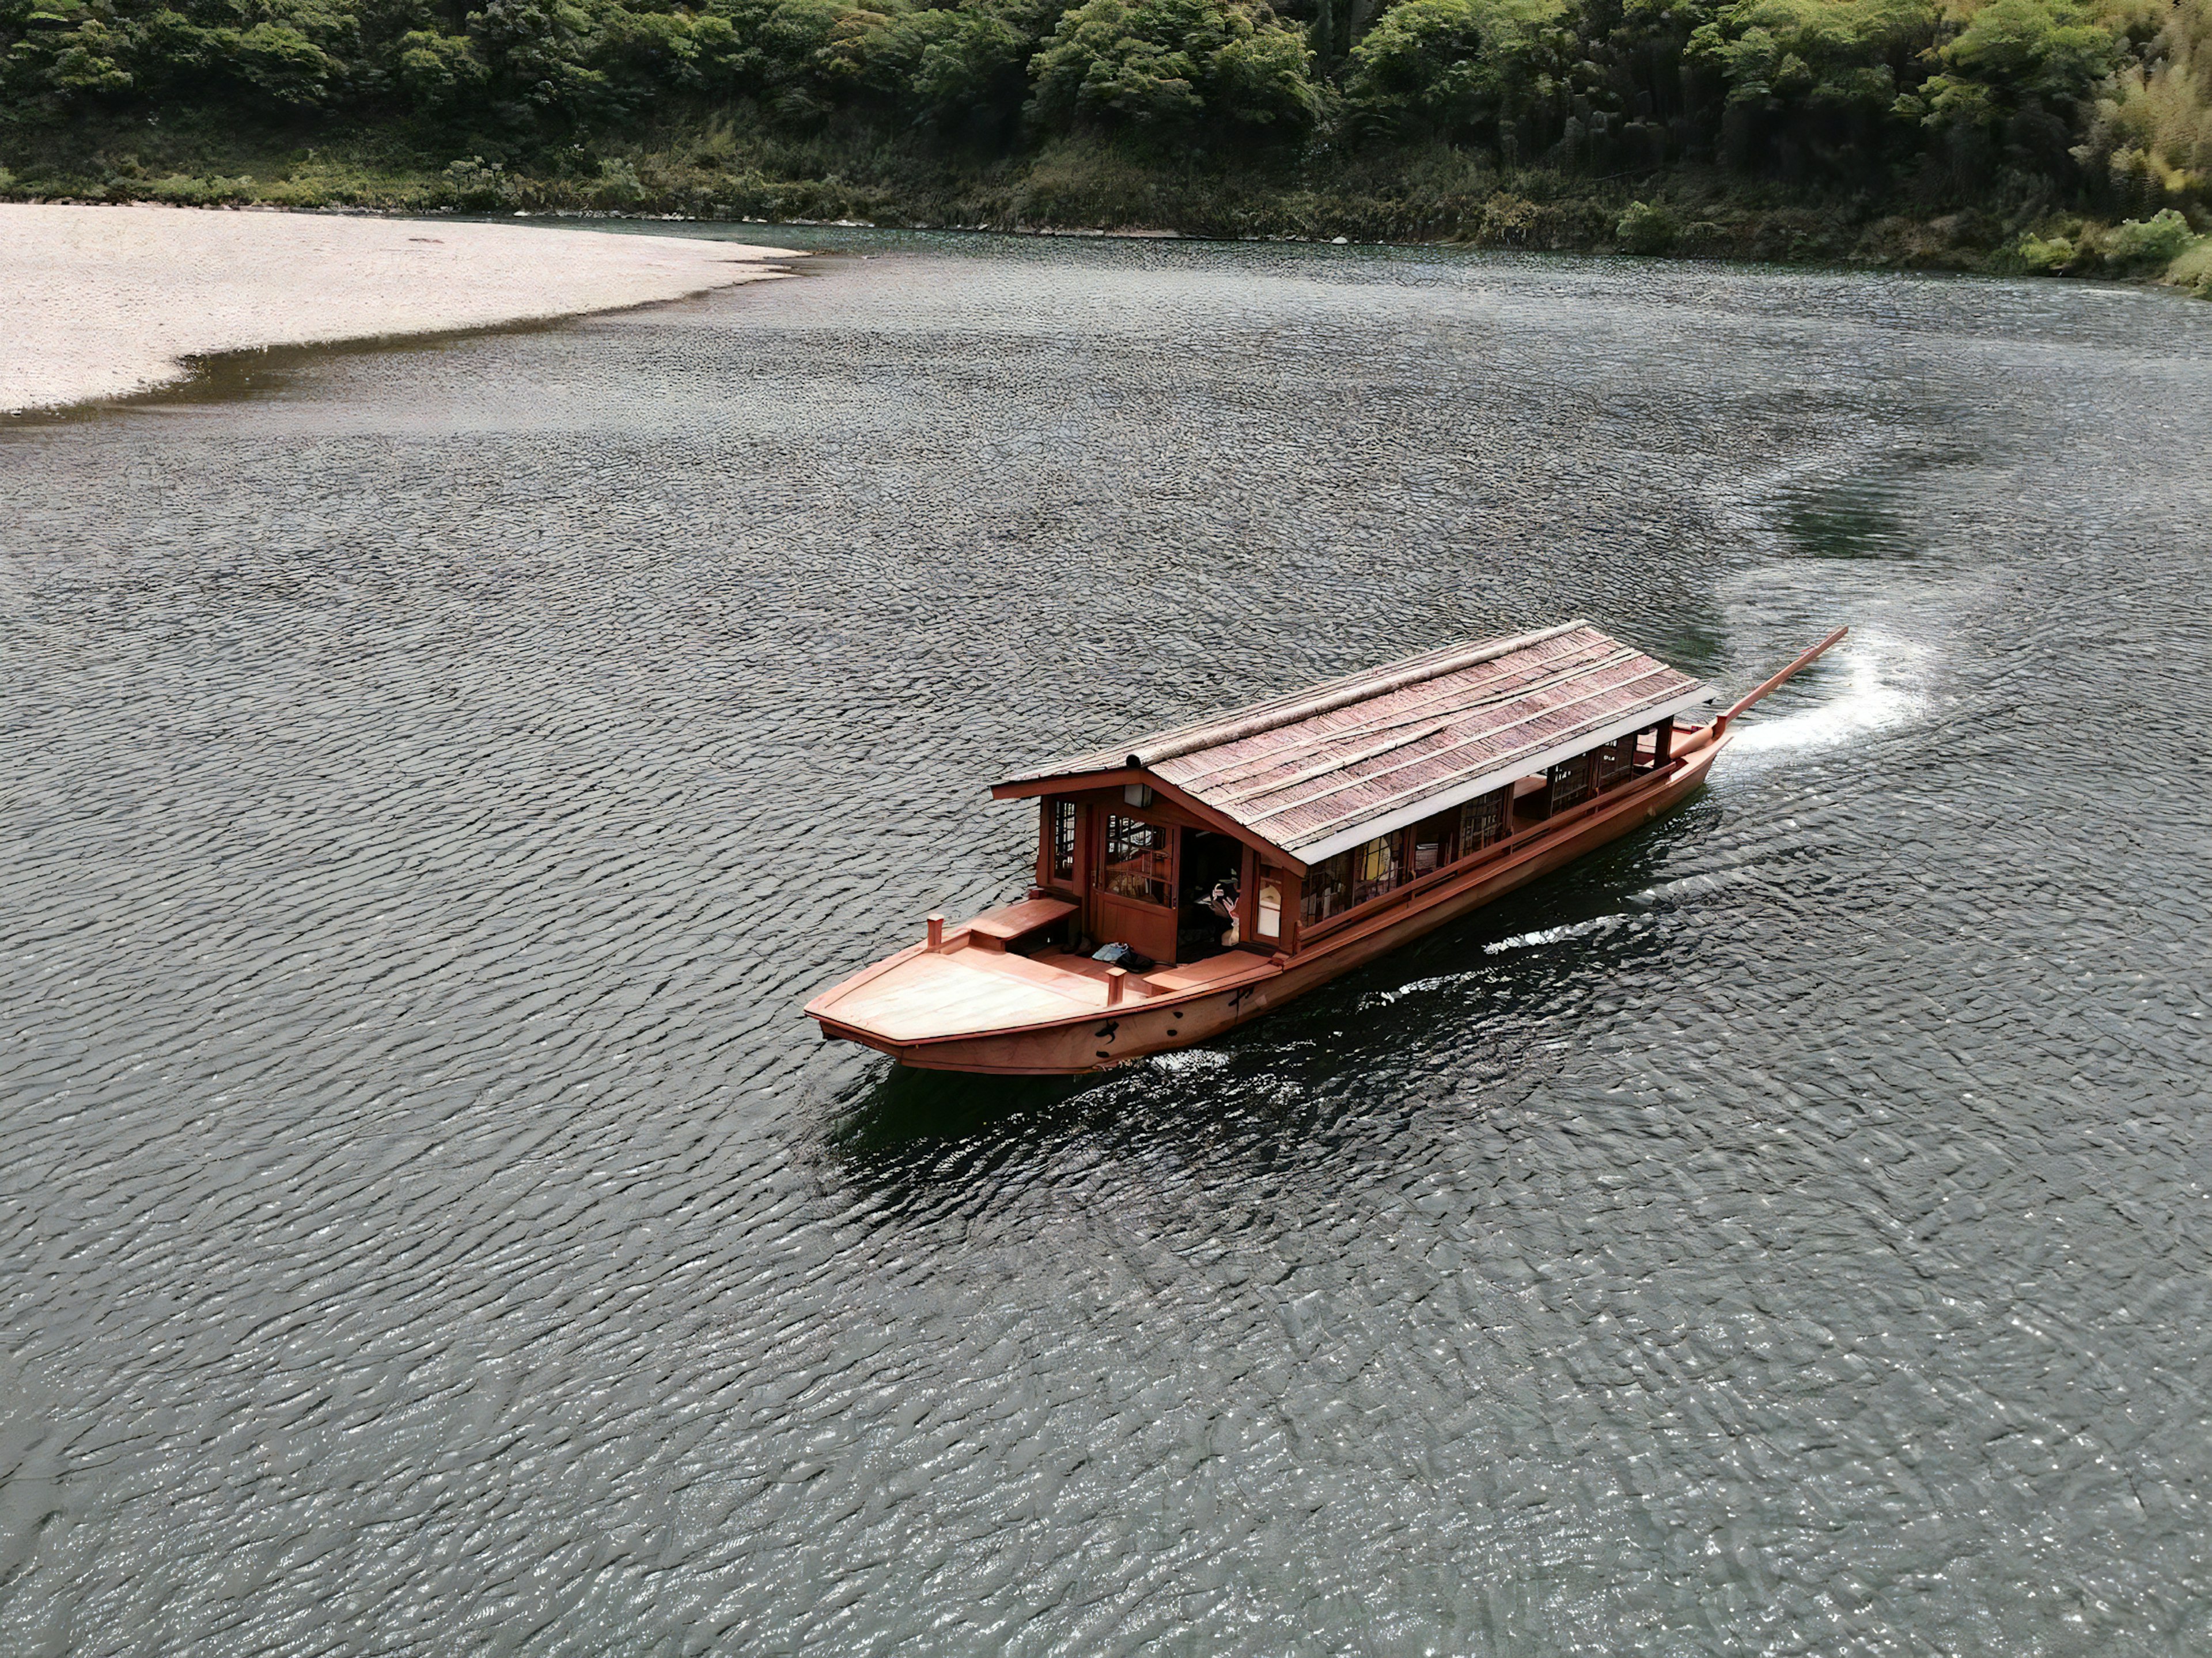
x=1434 y=196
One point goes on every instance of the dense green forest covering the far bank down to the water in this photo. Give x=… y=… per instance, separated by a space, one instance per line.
x=2063 y=136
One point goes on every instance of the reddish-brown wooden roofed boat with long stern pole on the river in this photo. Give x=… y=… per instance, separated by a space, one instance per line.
x=1328 y=828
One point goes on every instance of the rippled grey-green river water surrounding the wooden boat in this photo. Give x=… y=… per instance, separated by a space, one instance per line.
x=435 y=779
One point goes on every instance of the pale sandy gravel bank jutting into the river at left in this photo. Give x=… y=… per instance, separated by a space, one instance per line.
x=105 y=302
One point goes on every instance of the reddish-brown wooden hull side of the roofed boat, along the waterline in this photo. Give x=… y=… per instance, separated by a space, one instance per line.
x=1165 y=1025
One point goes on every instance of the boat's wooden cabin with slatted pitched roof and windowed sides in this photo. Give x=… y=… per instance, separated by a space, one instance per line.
x=1273 y=828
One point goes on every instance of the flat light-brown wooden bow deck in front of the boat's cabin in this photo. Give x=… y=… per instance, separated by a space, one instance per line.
x=970 y=989
